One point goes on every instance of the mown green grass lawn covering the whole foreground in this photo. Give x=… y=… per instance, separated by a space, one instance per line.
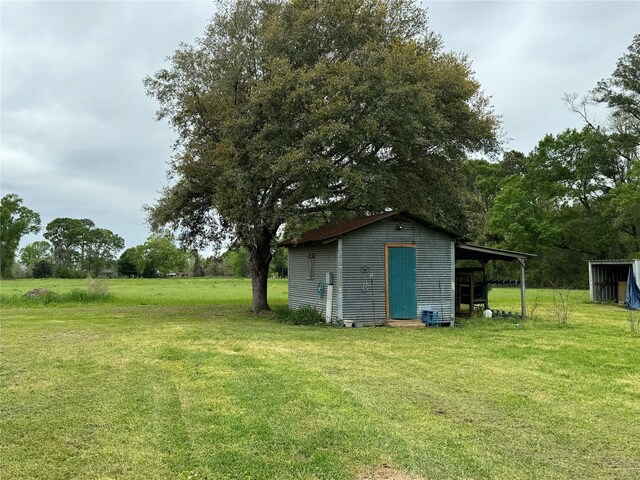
x=175 y=379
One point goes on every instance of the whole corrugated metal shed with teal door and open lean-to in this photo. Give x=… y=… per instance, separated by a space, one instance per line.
x=385 y=268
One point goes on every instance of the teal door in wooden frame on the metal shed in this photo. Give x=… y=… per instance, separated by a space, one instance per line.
x=401 y=277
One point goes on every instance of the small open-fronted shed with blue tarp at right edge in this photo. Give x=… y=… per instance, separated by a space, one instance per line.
x=609 y=279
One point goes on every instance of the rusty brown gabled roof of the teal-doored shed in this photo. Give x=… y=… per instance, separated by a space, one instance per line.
x=335 y=229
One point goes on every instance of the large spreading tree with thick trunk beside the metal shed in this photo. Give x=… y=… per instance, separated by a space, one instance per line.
x=286 y=110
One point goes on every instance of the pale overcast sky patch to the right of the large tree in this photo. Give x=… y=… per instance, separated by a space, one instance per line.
x=527 y=55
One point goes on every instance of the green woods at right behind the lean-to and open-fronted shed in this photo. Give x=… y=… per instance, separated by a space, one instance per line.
x=576 y=196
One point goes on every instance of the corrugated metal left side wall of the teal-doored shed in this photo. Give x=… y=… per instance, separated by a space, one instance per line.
x=302 y=290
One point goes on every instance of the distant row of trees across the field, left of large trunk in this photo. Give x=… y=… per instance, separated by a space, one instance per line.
x=75 y=248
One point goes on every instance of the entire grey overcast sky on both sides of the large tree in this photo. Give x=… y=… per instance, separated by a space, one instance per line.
x=78 y=136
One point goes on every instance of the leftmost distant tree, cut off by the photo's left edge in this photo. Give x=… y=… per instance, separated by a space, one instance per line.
x=16 y=220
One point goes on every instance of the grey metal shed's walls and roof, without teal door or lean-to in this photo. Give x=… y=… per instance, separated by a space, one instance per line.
x=357 y=258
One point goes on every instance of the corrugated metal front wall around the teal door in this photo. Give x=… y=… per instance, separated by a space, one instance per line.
x=364 y=288
